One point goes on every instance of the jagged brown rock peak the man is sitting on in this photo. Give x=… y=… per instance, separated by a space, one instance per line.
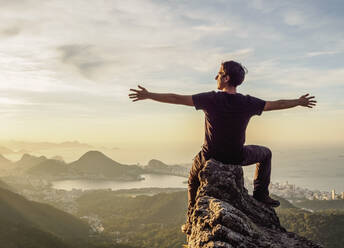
x=226 y=216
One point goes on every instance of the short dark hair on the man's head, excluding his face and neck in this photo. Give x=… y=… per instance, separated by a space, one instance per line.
x=235 y=71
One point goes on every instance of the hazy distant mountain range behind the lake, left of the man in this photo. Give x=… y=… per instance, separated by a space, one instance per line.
x=91 y=165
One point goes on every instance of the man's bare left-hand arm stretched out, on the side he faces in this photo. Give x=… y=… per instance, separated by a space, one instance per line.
x=143 y=94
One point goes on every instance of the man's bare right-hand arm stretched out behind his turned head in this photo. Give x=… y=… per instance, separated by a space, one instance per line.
x=305 y=101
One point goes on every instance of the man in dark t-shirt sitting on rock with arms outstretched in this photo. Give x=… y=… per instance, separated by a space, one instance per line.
x=227 y=114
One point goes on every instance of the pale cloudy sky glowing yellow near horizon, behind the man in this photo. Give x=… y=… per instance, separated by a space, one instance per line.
x=66 y=68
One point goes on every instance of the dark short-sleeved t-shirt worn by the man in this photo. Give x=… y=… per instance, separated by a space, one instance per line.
x=226 y=119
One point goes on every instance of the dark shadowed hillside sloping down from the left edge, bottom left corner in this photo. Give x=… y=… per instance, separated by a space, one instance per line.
x=25 y=218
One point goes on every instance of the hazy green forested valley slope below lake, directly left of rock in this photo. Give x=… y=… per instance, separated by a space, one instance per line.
x=144 y=221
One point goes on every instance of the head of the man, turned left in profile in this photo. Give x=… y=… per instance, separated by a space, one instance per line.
x=231 y=73
